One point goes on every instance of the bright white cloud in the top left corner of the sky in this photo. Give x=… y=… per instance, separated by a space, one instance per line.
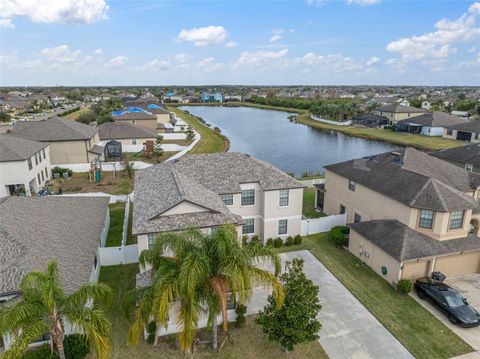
x=61 y=11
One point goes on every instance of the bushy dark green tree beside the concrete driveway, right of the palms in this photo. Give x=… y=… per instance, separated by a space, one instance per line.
x=295 y=322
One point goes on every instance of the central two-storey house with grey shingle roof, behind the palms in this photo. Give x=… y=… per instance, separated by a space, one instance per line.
x=209 y=190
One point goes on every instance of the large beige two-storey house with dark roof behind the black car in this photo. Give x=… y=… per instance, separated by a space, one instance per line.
x=410 y=213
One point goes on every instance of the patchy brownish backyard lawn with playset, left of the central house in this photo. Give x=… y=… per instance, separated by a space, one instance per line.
x=80 y=183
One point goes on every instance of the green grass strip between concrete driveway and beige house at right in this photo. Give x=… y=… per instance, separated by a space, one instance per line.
x=415 y=327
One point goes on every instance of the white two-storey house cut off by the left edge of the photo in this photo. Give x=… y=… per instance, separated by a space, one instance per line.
x=24 y=165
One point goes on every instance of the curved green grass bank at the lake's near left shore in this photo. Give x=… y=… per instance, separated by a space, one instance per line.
x=210 y=142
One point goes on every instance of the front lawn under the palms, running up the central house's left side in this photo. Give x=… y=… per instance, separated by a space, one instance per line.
x=249 y=341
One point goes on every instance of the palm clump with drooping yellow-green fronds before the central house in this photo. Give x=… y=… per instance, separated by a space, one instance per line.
x=197 y=272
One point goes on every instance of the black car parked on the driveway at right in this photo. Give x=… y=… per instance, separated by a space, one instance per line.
x=449 y=300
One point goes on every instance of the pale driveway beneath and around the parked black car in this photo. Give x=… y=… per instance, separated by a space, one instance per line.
x=469 y=286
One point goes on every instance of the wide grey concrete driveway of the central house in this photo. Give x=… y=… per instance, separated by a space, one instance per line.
x=349 y=330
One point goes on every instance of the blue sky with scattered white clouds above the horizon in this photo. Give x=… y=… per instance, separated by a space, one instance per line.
x=239 y=42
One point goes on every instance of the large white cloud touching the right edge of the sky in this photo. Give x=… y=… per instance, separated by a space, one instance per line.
x=439 y=44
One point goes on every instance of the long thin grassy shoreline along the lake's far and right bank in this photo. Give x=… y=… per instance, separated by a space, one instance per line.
x=420 y=142
